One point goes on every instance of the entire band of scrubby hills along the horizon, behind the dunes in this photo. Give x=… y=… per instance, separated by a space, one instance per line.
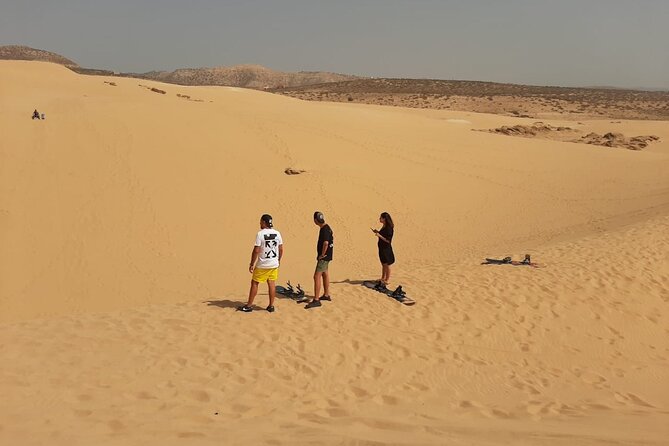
x=484 y=97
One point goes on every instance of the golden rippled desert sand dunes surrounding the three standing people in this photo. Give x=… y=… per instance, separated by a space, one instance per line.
x=126 y=223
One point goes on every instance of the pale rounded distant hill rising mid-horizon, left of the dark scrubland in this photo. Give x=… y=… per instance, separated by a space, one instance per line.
x=248 y=76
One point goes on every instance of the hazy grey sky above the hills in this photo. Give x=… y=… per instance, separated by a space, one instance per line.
x=560 y=42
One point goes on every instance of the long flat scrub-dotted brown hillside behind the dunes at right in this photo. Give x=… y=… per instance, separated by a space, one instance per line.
x=489 y=97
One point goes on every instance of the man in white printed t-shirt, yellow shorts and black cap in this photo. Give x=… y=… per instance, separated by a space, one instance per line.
x=265 y=259
